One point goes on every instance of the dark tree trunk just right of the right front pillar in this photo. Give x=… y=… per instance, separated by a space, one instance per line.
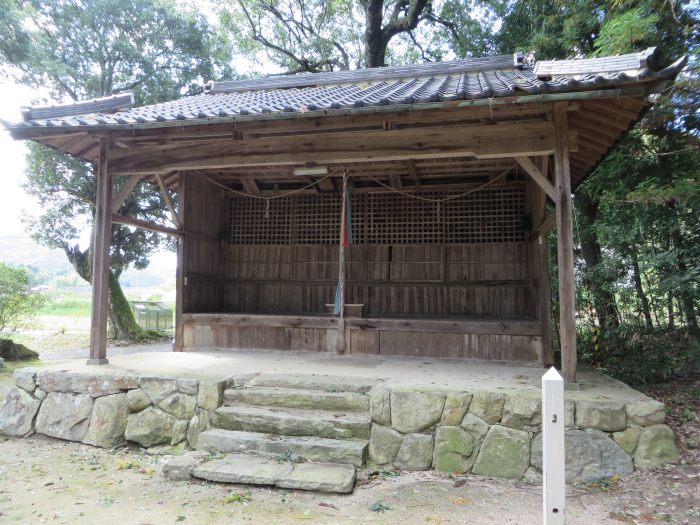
x=604 y=301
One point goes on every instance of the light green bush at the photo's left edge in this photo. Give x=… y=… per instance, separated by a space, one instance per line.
x=18 y=302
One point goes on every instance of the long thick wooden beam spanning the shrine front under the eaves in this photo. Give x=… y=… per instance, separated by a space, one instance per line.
x=499 y=141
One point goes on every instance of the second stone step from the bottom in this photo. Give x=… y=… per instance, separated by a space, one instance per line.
x=306 y=448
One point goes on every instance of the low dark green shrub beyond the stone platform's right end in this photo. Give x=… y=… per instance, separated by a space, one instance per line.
x=643 y=357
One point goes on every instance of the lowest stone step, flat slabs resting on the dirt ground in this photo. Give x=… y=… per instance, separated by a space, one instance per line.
x=258 y=470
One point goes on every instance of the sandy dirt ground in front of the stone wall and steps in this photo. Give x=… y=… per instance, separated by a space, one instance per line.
x=49 y=481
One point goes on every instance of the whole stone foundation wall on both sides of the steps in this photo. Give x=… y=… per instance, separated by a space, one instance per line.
x=485 y=433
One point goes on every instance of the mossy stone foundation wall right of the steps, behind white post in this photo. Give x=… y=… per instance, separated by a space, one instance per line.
x=492 y=434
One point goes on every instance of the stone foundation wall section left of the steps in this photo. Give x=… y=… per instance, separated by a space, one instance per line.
x=109 y=409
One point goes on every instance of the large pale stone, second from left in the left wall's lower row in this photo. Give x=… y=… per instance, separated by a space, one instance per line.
x=65 y=416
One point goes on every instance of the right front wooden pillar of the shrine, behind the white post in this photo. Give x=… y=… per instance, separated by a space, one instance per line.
x=565 y=244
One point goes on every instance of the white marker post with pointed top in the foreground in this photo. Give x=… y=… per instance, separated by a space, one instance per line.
x=553 y=459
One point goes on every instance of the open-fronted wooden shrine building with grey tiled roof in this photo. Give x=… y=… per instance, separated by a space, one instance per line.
x=391 y=211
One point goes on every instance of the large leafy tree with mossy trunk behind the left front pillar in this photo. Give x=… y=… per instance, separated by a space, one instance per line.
x=92 y=48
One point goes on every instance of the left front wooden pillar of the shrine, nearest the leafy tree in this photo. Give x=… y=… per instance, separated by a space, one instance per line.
x=100 y=262
